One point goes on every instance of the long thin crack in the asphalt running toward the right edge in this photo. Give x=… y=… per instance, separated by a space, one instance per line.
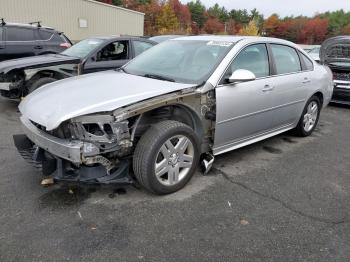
x=281 y=202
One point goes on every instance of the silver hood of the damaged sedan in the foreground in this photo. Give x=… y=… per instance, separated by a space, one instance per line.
x=54 y=103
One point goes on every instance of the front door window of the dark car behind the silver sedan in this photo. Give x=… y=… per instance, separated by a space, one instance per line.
x=114 y=51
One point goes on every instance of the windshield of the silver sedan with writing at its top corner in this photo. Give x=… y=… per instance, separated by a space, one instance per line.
x=190 y=62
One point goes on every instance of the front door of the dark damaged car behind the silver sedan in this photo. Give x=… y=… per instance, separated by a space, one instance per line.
x=111 y=56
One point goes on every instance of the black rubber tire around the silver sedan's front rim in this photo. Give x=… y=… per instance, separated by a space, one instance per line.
x=147 y=152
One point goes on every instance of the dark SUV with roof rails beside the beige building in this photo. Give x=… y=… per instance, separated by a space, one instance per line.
x=22 y=40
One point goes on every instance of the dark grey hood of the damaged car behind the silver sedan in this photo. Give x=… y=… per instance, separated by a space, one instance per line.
x=36 y=61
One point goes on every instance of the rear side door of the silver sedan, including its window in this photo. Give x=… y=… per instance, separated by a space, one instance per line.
x=290 y=85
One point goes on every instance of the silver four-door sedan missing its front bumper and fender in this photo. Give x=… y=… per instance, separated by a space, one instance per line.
x=184 y=99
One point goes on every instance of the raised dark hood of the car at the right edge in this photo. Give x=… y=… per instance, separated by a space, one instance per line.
x=335 y=49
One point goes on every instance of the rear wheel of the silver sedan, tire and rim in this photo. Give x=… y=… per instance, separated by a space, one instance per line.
x=309 y=118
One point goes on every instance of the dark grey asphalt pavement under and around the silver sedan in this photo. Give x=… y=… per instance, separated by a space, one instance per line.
x=283 y=199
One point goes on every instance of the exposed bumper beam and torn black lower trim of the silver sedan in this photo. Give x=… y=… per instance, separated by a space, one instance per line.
x=54 y=157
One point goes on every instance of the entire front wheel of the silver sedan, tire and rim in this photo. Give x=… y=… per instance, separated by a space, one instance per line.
x=175 y=167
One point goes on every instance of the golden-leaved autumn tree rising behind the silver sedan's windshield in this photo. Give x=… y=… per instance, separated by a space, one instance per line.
x=166 y=20
